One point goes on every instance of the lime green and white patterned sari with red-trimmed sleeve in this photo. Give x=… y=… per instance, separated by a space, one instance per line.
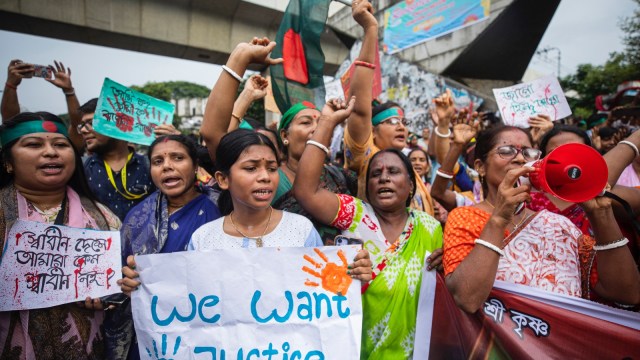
x=390 y=303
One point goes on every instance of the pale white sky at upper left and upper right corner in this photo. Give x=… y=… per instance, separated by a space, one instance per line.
x=585 y=31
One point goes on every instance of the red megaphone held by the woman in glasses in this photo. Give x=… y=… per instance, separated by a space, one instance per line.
x=571 y=172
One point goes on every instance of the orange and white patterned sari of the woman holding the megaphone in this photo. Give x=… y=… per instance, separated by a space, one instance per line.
x=547 y=251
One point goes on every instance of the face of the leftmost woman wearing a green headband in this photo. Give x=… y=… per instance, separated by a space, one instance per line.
x=42 y=161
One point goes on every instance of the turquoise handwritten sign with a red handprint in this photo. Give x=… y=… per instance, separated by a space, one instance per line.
x=129 y=115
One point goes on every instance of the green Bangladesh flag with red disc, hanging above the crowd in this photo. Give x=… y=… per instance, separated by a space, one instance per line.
x=299 y=77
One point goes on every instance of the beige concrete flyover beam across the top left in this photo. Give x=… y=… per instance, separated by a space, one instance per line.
x=200 y=30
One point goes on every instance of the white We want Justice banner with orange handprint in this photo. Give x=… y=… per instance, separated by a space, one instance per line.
x=276 y=303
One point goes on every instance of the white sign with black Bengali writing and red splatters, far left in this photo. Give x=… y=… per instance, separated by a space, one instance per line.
x=45 y=265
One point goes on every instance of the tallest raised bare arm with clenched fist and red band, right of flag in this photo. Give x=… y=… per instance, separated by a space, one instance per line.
x=359 y=125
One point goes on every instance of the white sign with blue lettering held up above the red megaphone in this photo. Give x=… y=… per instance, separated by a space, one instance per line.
x=542 y=96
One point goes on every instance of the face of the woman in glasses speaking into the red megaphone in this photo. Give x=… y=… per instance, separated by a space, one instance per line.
x=497 y=164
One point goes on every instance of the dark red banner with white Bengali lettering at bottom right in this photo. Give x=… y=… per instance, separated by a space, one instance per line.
x=570 y=334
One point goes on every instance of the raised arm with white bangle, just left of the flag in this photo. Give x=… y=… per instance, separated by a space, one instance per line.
x=217 y=113
